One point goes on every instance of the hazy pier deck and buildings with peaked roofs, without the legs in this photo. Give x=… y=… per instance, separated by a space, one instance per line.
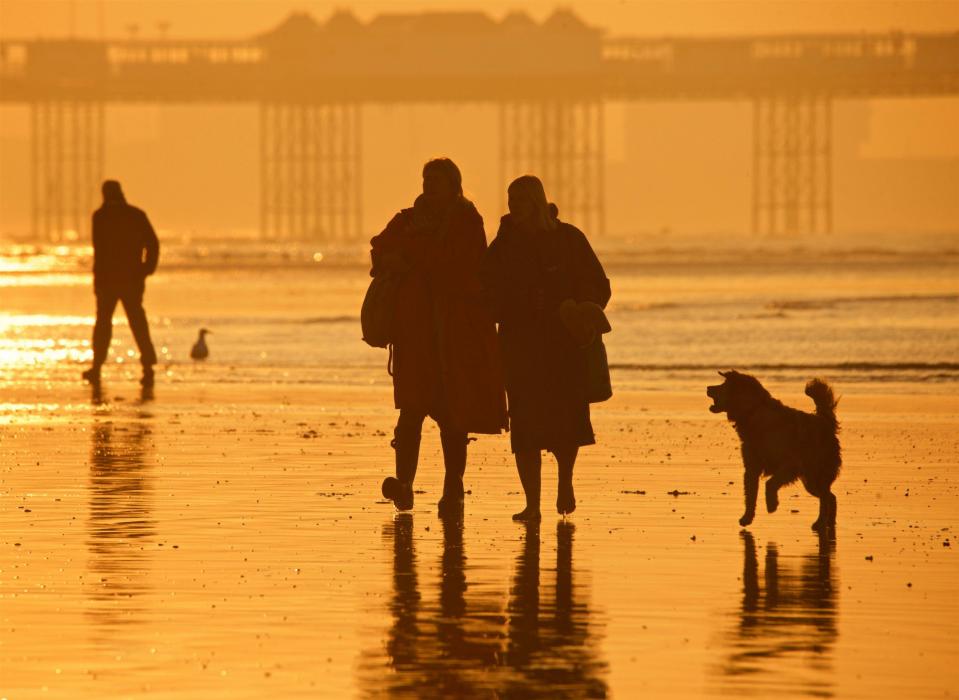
x=470 y=56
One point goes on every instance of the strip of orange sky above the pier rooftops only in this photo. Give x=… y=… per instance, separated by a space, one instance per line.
x=241 y=17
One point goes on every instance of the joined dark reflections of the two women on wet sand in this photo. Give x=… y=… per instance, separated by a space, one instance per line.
x=465 y=646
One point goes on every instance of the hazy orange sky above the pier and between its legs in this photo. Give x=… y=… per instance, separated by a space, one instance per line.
x=896 y=161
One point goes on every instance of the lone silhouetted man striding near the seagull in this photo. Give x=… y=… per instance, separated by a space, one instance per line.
x=125 y=252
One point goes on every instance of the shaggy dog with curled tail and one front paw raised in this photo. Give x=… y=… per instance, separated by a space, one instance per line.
x=781 y=442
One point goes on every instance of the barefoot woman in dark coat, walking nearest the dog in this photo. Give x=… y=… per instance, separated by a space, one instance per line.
x=535 y=264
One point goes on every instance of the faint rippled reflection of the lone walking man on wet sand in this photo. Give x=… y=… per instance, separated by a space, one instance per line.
x=120 y=523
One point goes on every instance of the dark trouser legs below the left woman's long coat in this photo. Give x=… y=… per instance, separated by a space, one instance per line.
x=406 y=442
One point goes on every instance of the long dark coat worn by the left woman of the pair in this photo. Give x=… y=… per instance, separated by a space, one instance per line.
x=445 y=355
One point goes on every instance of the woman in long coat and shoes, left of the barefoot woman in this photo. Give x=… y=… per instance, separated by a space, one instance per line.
x=445 y=358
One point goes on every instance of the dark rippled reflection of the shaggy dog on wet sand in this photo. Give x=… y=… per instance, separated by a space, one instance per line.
x=787 y=624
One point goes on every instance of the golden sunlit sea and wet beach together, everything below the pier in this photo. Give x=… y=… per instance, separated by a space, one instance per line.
x=224 y=536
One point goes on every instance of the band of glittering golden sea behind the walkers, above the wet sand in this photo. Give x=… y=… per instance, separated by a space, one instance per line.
x=856 y=313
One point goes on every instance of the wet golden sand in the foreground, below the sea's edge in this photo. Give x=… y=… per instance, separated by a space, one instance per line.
x=227 y=540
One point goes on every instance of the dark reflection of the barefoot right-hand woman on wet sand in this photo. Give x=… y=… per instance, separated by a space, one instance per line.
x=551 y=644
